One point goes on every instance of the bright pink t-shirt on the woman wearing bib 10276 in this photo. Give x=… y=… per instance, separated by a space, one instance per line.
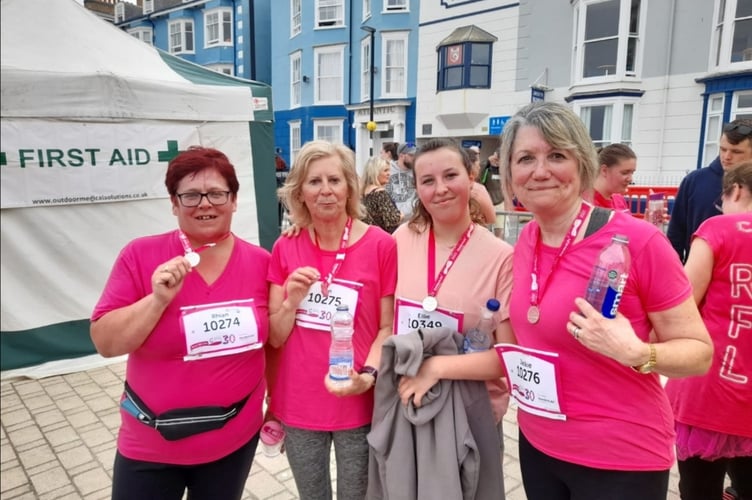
x=617 y=418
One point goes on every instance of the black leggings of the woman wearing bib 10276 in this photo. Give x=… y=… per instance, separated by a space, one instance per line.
x=547 y=478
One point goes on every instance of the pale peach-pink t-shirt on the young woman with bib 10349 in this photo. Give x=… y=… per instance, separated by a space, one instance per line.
x=482 y=271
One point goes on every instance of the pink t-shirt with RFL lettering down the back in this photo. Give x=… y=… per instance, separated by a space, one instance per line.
x=727 y=312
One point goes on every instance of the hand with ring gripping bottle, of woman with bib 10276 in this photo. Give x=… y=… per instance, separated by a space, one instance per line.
x=614 y=338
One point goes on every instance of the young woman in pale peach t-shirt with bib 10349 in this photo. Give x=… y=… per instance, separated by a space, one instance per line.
x=448 y=267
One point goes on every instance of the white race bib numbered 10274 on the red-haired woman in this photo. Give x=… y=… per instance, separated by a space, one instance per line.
x=219 y=329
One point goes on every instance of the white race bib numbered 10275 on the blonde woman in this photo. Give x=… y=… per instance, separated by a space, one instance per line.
x=316 y=310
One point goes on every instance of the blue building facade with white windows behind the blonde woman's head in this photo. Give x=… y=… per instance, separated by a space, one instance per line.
x=321 y=69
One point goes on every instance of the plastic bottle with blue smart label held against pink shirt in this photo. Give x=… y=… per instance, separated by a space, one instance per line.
x=609 y=277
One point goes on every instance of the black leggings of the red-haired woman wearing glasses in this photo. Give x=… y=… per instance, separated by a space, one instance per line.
x=223 y=478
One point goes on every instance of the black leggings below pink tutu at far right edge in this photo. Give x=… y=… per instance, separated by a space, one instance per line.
x=703 y=480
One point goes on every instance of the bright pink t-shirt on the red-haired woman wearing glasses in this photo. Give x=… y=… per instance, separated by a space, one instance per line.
x=156 y=370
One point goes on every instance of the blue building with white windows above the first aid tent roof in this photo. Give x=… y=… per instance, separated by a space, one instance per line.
x=229 y=36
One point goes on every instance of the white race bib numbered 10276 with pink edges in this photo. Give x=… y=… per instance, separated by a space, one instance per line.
x=533 y=377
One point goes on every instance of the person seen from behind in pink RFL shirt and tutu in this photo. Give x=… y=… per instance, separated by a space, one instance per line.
x=713 y=432
